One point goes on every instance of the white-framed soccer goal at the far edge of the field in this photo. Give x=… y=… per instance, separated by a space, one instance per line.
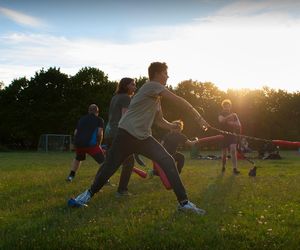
x=54 y=142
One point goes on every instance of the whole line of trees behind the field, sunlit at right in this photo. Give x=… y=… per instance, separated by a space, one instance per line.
x=52 y=102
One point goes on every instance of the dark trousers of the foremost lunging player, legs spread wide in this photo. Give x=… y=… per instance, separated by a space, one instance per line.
x=125 y=145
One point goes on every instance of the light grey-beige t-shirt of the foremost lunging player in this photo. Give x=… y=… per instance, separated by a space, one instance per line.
x=141 y=112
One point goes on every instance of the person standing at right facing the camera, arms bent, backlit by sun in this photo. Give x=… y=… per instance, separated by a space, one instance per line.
x=229 y=122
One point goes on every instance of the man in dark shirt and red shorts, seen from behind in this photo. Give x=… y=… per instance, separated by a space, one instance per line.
x=88 y=136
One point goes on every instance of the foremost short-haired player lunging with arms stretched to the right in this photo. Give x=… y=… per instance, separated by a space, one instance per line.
x=135 y=136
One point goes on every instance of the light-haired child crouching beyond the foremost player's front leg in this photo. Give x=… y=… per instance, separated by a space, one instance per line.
x=172 y=140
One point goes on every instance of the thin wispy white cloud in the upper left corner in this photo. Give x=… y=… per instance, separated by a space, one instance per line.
x=21 y=18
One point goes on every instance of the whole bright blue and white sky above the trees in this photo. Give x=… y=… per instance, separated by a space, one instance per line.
x=233 y=44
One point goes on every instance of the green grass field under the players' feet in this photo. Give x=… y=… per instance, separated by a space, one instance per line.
x=242 y=212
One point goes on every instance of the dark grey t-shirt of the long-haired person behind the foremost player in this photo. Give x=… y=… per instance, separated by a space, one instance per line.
x=117 y=103
